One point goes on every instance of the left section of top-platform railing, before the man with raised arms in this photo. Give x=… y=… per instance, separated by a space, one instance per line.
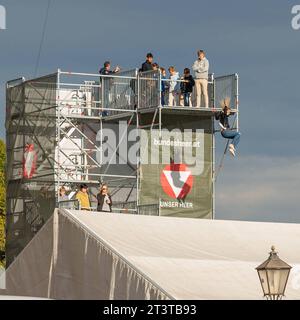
x=96 y=95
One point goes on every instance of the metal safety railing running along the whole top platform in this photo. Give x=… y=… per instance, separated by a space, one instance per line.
x=126 y=91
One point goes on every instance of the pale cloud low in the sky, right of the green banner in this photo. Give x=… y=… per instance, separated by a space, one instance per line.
x=259 y=188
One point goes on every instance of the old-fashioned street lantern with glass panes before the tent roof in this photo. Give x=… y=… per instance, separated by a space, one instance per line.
x=273 y=275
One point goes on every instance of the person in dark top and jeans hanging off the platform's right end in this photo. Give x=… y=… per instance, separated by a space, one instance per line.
x=226 y=131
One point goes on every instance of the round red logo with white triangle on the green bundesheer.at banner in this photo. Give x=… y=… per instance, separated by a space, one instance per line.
x=176 y=181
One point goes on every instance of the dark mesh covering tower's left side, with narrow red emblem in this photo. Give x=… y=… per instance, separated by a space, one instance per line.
x=31 y=138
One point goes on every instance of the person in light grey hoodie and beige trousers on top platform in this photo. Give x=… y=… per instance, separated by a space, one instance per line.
x=201 y=67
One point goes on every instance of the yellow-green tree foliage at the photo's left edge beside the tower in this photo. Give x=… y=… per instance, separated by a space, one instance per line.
x=2 y=198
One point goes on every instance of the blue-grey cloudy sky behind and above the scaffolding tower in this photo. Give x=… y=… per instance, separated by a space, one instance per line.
x=252 y=38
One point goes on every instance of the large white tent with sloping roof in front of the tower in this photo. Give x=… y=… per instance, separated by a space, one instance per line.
x=89 y=255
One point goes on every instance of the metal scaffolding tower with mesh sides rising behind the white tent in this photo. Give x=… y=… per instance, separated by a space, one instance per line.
x=55 y=127
